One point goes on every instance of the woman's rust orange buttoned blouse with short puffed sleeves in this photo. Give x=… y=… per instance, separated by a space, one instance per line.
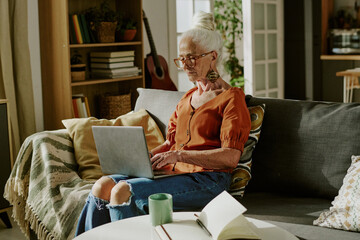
x=224 y=121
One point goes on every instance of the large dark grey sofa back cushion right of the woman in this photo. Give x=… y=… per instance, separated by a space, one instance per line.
x=305 y=147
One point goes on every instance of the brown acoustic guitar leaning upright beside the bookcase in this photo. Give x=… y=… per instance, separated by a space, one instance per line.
x=156 y=69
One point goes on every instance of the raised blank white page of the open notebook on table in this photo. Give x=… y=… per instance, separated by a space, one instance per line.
x=220 y=212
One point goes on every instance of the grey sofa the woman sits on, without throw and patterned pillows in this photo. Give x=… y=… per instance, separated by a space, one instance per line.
x=299 y=163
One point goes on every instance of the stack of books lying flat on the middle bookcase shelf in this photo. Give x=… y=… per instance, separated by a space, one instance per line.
x=113 y=64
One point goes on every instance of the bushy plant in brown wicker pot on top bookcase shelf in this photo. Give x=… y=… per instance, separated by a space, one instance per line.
x=105 y=21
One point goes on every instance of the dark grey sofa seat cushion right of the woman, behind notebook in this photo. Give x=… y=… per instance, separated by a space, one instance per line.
x=294 y=214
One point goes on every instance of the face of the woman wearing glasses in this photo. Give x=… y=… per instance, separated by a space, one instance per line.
x=202 y=65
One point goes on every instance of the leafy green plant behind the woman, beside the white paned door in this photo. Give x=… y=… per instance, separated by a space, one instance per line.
x=228 y=19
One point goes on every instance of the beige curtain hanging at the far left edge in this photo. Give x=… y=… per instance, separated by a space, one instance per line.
x=15 y=69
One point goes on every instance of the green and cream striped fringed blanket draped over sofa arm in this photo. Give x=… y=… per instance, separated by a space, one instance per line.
x=44 y=188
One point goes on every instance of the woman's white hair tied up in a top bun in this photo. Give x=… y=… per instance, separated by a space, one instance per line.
x=203 y=33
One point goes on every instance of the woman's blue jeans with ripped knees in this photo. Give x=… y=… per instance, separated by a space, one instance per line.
x=190 y=192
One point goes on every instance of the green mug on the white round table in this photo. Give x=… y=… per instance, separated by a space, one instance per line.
x=160 y=208
